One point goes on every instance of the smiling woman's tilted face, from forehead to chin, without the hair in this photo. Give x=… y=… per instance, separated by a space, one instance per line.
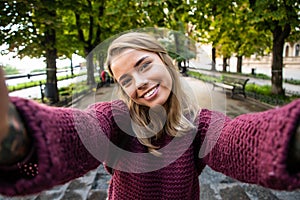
x=143 y=76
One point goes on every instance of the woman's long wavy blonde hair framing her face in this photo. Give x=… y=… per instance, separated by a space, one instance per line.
x=181 y=111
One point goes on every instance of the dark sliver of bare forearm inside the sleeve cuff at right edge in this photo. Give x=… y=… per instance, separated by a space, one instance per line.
x=294 y=152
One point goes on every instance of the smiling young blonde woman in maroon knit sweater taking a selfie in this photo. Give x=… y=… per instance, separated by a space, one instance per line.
x=154 y=141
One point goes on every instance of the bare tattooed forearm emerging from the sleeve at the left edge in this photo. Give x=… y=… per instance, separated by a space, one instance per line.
x=14 y=141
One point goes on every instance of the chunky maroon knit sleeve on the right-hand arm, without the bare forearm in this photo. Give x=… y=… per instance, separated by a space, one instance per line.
x=252 y=148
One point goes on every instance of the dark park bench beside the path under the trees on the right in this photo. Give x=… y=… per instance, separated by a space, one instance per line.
x=236 y=85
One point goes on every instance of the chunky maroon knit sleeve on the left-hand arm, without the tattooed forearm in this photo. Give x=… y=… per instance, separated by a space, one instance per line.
x=58 y=153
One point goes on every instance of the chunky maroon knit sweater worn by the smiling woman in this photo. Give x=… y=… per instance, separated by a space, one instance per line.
x=251 y=148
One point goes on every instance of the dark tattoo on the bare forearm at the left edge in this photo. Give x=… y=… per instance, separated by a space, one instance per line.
x=14 y=146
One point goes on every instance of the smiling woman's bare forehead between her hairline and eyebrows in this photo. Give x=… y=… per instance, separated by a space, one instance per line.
x=125 y=61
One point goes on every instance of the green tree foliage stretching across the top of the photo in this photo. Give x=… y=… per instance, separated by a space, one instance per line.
x=239 y=27
